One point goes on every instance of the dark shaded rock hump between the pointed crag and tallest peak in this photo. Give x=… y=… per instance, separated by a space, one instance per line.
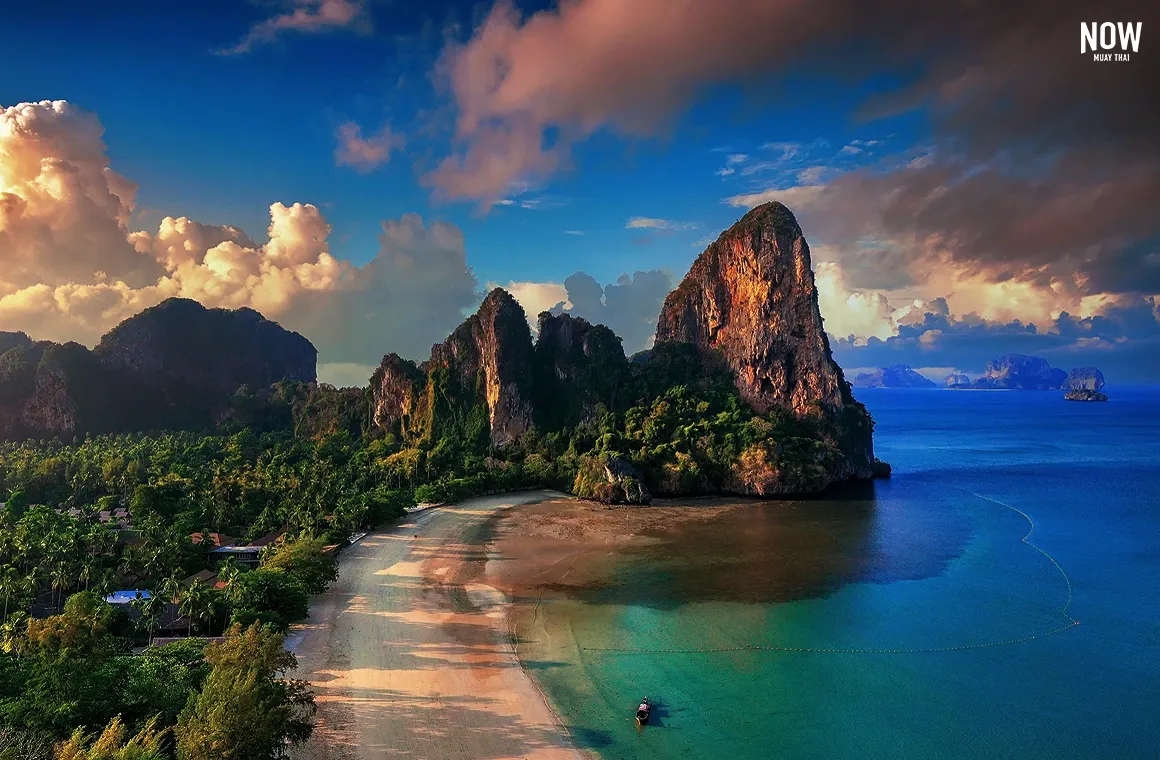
x=579 y=367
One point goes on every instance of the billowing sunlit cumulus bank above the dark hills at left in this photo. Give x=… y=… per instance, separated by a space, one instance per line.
x=72 y=269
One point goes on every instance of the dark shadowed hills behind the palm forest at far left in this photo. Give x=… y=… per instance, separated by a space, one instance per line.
x=176 y=366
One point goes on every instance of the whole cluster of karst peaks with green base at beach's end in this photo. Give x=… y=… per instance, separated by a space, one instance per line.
x=745 y=316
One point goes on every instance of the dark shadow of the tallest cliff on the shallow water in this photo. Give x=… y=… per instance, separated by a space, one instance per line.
x=774 y=552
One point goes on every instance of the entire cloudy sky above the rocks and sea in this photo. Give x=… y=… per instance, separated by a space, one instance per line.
x=364 y=171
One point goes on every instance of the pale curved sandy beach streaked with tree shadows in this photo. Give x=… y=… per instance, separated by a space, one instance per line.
x=410 y=655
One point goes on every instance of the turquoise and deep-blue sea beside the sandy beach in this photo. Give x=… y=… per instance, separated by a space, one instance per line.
x=908 y=621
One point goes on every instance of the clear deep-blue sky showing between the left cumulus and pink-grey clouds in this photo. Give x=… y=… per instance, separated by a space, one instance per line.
x=219 y=137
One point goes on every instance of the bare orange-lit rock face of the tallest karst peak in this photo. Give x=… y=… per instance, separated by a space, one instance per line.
x=751 y=298
